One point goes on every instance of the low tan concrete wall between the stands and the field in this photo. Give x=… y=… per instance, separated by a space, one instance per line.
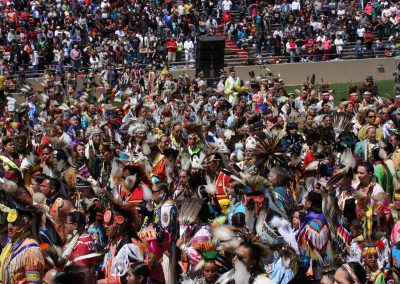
x=345 y=71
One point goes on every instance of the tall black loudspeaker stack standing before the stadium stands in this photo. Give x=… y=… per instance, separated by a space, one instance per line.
x=210 y=55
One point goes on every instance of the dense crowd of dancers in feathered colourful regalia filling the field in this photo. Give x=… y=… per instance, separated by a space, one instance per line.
x=146 y=178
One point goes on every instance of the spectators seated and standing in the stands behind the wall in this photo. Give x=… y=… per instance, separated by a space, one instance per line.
x=35 y=35
